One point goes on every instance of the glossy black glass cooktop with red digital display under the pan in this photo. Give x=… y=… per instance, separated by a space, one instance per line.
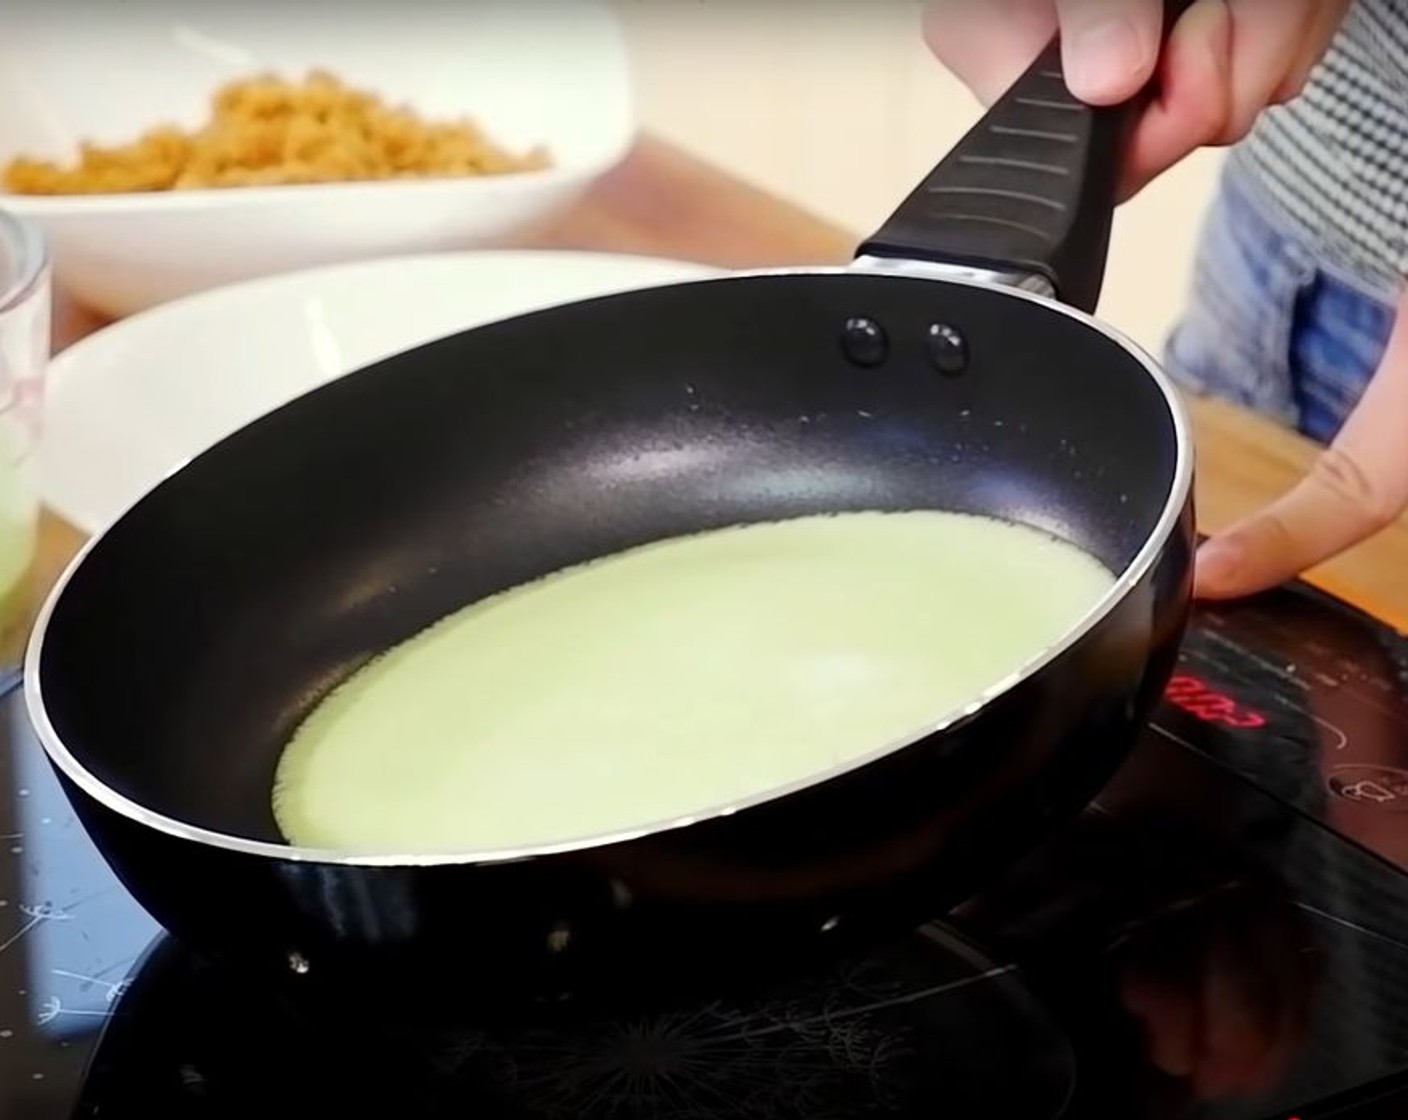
x=1224 y=936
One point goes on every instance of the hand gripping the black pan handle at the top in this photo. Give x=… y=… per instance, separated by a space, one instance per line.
x=1224 y=63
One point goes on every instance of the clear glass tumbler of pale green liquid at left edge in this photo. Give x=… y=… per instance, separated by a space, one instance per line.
x=25 y=356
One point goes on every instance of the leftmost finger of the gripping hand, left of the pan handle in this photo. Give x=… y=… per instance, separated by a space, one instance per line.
x=988 y=44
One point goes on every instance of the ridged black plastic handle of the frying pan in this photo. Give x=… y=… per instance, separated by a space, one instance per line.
x=1029 y=197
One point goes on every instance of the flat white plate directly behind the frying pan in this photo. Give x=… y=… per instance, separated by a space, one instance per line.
x=136 y=401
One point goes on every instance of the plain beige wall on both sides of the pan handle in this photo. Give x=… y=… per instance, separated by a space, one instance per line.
x=840 y=106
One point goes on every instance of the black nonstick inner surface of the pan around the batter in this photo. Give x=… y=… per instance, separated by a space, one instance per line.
x=201 y=630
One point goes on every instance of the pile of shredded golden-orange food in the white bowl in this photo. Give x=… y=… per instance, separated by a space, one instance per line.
x=270 y=132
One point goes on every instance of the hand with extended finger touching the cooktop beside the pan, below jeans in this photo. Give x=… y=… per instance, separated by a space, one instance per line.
x=1358 y=487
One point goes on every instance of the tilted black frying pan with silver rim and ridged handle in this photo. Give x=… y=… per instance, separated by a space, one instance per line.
x=955 y=366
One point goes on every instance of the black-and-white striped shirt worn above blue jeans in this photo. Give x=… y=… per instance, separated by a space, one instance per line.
x=1335 y=160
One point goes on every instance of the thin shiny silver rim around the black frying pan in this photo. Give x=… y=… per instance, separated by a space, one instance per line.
x=1175 y=505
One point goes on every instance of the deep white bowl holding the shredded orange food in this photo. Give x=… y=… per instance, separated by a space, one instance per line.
x=529 y=71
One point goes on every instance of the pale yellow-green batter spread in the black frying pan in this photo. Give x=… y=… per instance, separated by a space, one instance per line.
x=675 y=678
